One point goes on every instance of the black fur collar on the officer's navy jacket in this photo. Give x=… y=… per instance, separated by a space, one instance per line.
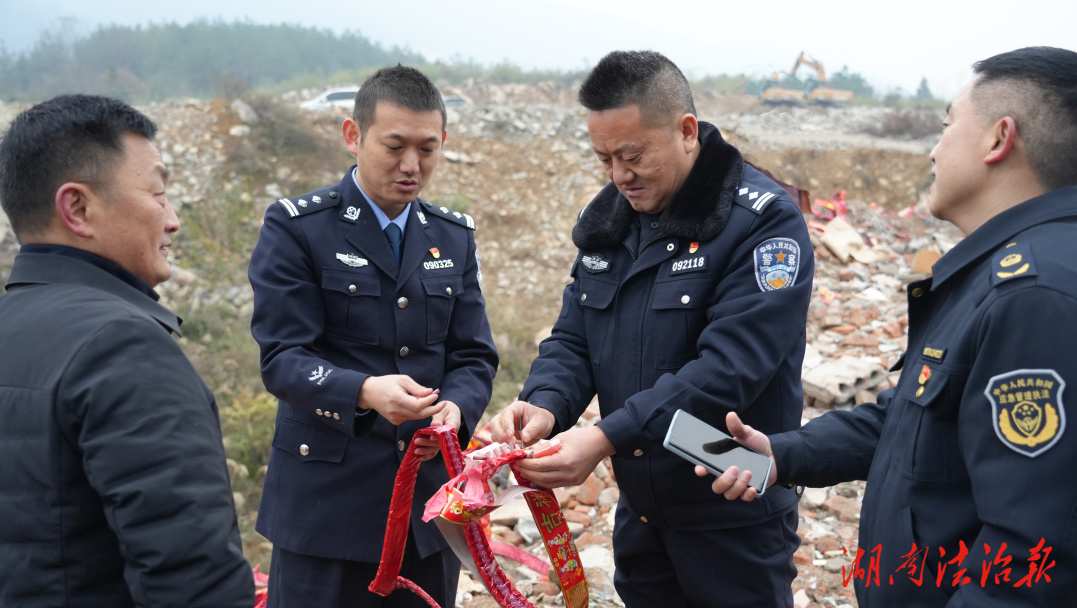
x=698 y=213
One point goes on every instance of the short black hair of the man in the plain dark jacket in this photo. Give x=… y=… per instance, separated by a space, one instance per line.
x=71 y=138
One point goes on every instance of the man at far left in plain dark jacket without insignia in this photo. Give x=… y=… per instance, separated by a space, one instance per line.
x=114 y=485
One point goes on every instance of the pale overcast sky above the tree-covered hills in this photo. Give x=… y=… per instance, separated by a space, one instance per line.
x=893 y=44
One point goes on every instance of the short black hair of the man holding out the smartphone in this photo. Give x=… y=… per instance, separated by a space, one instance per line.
x=1038 y=88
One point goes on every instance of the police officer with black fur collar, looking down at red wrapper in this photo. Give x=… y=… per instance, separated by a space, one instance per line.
x=690 y=292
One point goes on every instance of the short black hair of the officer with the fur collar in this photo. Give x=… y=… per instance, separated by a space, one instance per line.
x=642 y=78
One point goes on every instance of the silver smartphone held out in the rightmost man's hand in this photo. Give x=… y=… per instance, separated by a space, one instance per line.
x=700 y=443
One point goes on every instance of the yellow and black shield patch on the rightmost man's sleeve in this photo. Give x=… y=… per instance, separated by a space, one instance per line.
x=1027 y=409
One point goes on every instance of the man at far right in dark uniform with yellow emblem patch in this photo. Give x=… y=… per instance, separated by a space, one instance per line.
x=970 y=500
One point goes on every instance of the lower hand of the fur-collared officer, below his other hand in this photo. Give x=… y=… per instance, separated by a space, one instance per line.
x=582 y=450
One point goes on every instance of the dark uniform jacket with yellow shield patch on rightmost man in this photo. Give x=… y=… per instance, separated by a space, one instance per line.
x=973 y=446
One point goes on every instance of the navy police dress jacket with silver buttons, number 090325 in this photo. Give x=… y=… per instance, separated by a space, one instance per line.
x=331 y=308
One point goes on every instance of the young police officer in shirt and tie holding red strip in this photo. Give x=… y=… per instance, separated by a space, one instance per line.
x=372 y=324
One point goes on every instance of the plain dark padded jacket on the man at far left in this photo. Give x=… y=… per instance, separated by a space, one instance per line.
x=114 y=486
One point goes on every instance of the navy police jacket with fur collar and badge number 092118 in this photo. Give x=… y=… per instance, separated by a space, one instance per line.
x=708 y=317
